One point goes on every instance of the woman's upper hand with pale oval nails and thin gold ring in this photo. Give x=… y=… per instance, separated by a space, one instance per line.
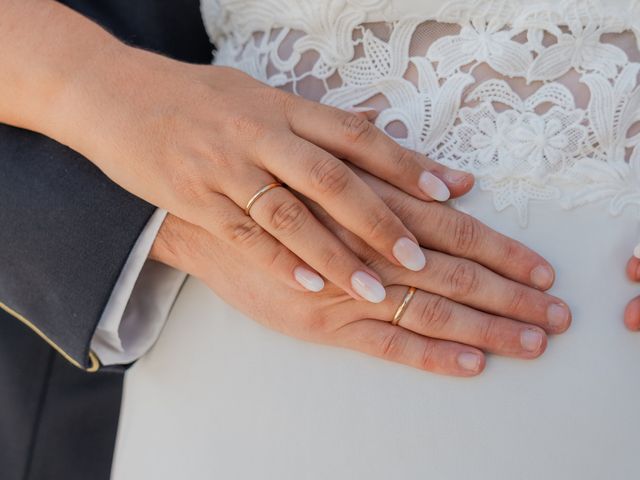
x=200 y=141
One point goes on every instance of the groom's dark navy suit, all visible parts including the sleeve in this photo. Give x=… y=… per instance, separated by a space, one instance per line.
x=65 y=234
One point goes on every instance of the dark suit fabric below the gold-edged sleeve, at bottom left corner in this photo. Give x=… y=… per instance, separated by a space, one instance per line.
x=56 y=421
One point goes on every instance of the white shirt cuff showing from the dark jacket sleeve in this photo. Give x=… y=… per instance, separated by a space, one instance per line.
x=139 y=303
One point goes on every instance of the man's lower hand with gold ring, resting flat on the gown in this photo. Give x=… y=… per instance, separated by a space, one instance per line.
x=463 y=307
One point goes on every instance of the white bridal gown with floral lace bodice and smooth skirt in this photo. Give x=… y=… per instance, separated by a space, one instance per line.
x=540 y=100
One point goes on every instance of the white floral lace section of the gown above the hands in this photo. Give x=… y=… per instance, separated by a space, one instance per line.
x=540 y=101
